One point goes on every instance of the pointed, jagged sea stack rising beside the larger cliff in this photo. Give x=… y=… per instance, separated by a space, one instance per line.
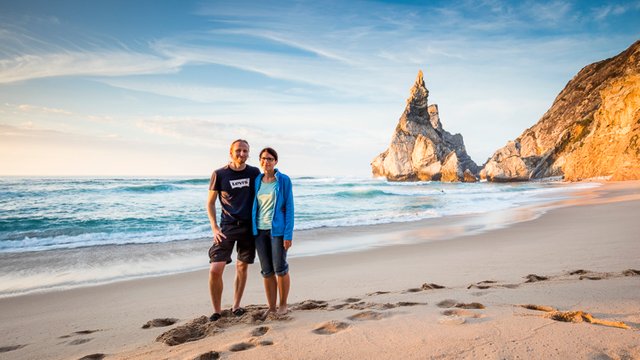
x=421 y=149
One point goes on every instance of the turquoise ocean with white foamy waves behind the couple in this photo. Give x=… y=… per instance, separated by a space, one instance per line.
x=71 y=222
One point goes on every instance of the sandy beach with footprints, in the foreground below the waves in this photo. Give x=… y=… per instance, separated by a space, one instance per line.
x=439 y=289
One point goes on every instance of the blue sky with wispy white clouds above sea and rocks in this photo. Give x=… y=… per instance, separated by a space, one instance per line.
x=163 y=87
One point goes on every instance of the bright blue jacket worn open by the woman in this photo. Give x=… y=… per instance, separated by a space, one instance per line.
x=282 y=222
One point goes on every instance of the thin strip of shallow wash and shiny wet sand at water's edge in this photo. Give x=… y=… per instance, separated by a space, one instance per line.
x=58 y=269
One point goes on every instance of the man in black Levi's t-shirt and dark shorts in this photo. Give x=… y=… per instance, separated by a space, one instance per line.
x=234 y=186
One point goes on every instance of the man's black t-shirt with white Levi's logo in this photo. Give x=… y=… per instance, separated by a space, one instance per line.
x=236 y=191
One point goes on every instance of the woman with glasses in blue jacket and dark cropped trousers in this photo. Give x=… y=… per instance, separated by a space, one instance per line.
x=273 y=227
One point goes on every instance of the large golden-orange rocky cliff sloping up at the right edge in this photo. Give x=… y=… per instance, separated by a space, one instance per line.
x=591 y=130
